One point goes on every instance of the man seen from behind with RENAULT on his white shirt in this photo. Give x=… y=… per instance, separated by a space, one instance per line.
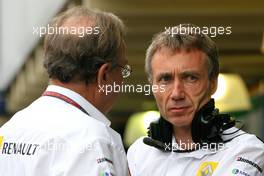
x=65 y=131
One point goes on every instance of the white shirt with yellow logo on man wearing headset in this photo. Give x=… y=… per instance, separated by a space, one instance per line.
x=242 y=156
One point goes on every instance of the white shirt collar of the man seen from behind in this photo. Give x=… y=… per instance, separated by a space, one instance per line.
x=85 y=104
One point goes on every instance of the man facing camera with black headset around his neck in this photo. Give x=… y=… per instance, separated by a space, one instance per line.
x=191 y=137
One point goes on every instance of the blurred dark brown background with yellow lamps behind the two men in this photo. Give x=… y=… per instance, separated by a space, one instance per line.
x=241 y=84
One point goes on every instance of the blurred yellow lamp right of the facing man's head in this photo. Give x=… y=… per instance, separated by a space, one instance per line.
x=231 y=94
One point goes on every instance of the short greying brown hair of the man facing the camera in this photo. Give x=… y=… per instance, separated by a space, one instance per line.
x=176 y=40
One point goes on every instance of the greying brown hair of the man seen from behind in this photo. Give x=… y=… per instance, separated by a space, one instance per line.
x=69 y=57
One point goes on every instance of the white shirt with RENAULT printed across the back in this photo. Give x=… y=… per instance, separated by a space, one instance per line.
x=54 y=138
